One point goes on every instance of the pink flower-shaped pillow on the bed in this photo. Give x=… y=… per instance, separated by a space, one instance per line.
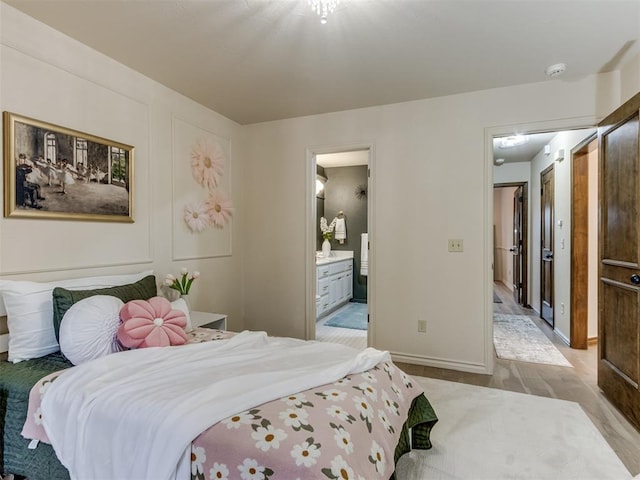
x=151 y=323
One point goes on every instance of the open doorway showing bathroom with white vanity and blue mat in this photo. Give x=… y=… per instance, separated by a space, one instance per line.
x=342 y=247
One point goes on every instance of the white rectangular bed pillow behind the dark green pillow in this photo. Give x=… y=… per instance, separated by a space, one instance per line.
x=29 y=310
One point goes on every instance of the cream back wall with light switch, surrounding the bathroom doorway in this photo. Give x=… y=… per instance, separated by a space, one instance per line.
x=430 y=181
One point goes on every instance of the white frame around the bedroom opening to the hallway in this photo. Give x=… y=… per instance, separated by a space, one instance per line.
x=489 y=133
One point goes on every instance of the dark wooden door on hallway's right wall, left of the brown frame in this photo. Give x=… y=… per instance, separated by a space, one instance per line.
x=546 y=245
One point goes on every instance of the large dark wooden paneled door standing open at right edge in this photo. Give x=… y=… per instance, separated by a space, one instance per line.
x=619 y=288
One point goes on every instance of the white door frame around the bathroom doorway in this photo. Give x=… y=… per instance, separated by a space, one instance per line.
x=310 y=236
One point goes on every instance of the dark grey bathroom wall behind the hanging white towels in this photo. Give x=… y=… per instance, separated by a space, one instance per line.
x=340 y=194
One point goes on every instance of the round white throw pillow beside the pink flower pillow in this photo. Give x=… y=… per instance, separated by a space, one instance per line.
x=88 y=329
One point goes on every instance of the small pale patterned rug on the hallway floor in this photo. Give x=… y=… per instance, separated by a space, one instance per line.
x=516 y=337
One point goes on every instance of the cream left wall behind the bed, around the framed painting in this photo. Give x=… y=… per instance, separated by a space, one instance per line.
x=50 y=77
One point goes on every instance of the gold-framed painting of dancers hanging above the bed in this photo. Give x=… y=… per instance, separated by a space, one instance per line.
x=57 y=173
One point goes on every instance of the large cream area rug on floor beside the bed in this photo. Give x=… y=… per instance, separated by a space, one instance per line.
x=489 y=434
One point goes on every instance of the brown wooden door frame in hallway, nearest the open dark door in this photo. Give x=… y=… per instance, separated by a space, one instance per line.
x=578 y=309
